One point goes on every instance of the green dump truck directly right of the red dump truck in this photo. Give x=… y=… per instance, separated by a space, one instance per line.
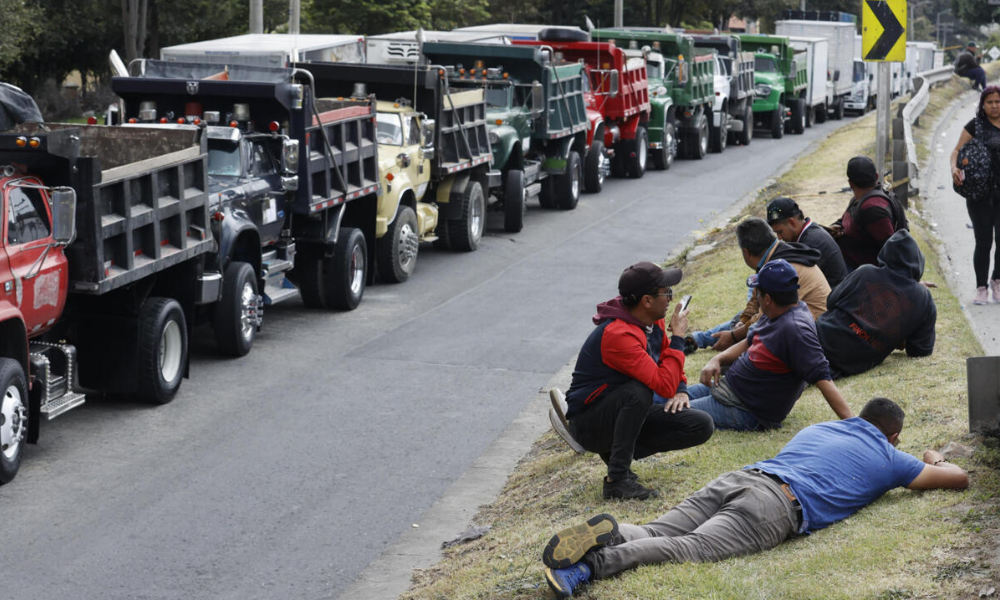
x=681 y=79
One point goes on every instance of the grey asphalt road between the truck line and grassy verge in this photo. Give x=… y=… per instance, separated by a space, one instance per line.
x=283 y=474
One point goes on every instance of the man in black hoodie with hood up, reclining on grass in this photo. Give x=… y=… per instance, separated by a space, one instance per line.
x=878 y=309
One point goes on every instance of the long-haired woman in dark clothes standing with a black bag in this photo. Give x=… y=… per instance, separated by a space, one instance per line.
x=985 y=213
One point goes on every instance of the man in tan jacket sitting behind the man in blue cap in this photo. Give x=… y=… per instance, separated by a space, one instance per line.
x=759 y=246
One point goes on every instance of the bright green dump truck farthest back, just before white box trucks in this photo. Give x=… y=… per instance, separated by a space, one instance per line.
x=779 y=83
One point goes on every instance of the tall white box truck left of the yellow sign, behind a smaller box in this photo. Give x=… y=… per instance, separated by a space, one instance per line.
x=840 y=58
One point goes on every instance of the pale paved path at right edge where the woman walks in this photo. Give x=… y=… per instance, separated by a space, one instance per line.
x=950 y=219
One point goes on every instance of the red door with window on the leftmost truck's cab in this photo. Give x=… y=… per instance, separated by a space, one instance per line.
x=38 y=268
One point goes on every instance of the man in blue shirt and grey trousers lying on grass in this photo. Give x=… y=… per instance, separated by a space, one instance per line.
x=826 y=473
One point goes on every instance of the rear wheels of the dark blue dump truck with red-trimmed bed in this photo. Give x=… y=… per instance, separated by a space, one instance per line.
x=336 y=281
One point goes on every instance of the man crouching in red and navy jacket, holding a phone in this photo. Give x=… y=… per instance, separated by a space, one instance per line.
x=627 y=357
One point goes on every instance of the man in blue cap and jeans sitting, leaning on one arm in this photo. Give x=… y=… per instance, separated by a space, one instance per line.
x=771 y=367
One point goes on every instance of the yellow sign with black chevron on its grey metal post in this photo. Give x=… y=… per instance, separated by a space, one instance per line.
x=883 y=40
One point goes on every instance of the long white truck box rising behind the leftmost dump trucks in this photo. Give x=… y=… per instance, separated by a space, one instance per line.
x=270 y=50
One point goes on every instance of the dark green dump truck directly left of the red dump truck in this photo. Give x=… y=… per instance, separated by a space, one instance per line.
x=536 y=116
